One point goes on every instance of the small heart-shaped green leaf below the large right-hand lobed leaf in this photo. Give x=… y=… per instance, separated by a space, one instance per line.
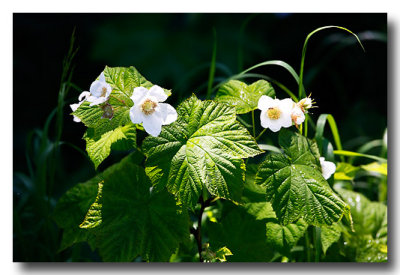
x=284 y=237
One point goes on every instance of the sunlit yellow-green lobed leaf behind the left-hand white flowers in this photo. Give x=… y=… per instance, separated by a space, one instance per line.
x=109 y=124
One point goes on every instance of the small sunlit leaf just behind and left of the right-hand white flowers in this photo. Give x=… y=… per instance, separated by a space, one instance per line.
x=242 y=96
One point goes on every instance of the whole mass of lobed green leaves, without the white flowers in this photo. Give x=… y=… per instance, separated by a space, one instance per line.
x=259 y=212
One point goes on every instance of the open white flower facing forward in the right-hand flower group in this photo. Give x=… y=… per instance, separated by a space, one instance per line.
x=275 y=113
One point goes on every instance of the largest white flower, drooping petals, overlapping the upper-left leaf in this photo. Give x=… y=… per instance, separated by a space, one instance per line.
x=149 y=110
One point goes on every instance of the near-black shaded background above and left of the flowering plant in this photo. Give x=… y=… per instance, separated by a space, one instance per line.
x=174 y=51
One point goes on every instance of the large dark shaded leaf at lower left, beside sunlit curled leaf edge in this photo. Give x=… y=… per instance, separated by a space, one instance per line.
x=136 y=220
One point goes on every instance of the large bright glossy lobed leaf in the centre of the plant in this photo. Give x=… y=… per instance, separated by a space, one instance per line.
x=202 y=149
